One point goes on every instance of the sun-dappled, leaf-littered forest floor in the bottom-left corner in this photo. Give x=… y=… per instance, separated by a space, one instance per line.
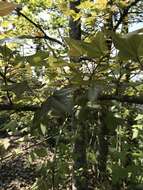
x=15 y=171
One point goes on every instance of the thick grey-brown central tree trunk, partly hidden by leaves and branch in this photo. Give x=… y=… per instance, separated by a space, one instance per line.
x=79 y=152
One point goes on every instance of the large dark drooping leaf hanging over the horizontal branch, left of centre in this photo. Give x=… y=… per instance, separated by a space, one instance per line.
x=57 y=104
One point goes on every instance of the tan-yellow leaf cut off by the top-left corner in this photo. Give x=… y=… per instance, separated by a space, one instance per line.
x=6 y=8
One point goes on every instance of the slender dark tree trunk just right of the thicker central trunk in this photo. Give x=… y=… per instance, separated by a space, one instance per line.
x=102 y=125
